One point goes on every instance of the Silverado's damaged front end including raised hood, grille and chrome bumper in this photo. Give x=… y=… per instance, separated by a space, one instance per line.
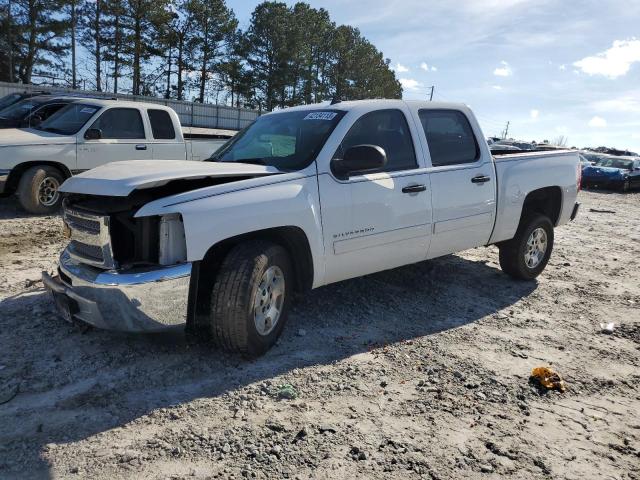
x=124 y=272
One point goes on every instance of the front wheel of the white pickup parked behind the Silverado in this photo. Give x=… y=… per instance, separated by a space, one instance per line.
x=38 y=189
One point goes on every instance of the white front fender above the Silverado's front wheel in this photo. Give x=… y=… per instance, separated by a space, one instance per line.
x=212 y=219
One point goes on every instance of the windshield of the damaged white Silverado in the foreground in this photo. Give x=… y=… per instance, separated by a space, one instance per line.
x=287 y=141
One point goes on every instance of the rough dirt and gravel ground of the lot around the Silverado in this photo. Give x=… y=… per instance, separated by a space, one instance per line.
x=420 y=372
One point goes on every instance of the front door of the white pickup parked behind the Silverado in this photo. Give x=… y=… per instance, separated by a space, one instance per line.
x=122 y=138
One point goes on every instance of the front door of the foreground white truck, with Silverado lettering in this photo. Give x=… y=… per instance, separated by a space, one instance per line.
x=378 y=220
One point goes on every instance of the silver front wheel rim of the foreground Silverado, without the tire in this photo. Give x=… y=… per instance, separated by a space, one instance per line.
x=268 y=301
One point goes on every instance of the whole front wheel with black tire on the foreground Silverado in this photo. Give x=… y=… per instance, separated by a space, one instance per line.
x=250 y=299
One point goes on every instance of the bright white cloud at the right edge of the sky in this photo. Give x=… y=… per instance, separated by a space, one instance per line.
x=613 y=62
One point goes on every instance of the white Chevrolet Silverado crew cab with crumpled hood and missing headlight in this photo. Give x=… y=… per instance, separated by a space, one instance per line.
x=302 y=198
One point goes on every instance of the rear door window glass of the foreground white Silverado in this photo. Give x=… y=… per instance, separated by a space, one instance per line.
x=450 y=137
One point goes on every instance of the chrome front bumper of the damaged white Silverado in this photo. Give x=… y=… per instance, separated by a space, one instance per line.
x=147 y=300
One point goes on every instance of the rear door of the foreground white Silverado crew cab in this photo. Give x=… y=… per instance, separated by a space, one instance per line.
x=463 y=181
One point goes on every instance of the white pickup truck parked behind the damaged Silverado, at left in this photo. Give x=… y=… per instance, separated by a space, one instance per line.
x=87 y=133
